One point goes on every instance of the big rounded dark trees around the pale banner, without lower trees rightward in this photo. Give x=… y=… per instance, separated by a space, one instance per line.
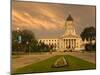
x=27 y=40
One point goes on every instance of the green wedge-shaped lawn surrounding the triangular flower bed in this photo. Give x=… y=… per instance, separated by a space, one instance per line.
x=45 y=66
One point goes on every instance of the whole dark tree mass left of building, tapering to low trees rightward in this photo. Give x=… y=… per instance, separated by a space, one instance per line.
x=25 y=41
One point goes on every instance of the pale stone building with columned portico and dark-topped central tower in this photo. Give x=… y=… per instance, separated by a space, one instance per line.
x=68 y=41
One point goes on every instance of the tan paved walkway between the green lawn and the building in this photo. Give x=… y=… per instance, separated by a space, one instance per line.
x=24 y=60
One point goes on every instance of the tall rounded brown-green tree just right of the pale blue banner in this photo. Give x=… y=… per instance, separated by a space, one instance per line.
x=28 y=39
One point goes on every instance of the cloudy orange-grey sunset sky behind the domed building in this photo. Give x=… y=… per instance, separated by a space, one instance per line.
x=47 y=20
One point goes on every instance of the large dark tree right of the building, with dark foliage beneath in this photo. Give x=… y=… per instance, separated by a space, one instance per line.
x=89 y=34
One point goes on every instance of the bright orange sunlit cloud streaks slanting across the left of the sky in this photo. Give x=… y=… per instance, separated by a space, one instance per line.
x=24 y=18
